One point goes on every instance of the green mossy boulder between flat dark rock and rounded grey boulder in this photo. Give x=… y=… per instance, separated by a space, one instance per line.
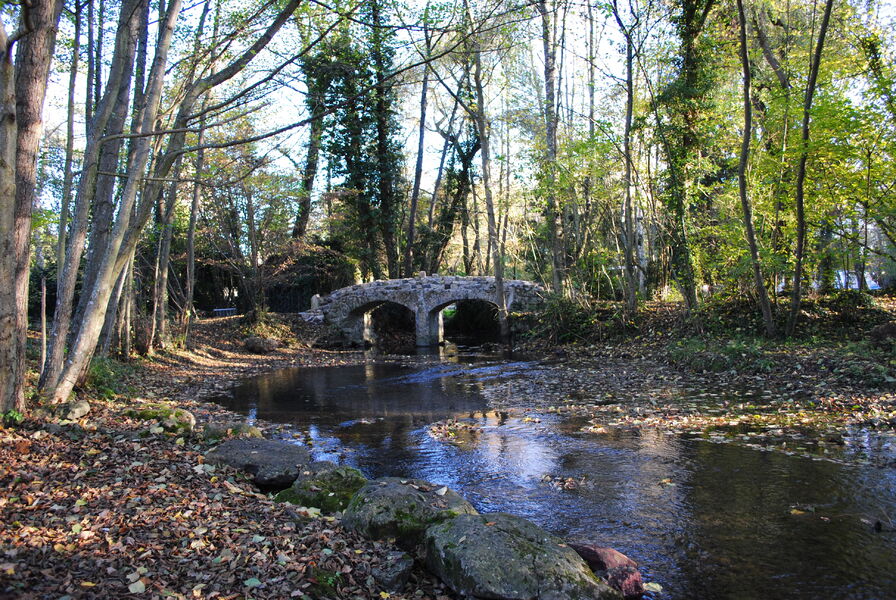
x=325 y=485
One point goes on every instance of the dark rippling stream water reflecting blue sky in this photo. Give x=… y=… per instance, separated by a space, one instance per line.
x=705 y=520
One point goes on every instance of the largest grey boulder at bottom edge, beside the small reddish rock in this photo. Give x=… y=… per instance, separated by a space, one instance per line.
x=504 y=557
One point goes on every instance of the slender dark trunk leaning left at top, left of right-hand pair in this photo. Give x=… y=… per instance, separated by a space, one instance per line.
x=761 y=293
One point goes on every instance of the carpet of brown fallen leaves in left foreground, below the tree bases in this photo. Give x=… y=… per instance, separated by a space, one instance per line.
x=108 y=513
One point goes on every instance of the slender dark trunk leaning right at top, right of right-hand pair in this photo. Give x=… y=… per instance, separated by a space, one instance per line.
x=801 y=172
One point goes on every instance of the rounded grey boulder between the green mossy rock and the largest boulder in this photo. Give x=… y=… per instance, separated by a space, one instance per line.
x=398 y=508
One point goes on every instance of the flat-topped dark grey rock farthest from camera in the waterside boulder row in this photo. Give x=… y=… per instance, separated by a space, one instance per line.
x=275 y=464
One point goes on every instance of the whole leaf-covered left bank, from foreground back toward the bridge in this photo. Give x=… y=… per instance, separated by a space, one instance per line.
x=112 y=506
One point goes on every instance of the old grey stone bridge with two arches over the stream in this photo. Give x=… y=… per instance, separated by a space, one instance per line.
x=348 y=309
